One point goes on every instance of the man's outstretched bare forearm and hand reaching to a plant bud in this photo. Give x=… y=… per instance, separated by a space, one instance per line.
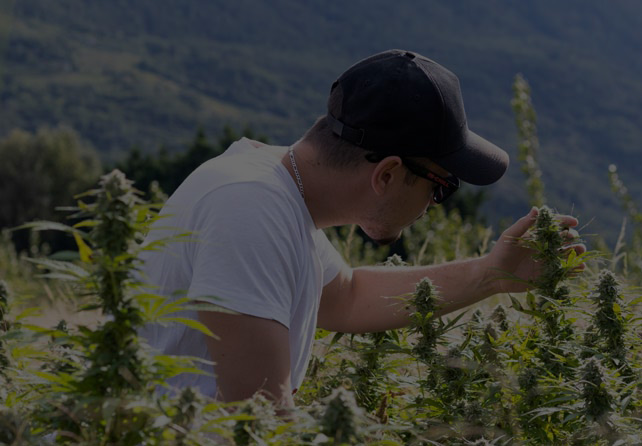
x=372 y=299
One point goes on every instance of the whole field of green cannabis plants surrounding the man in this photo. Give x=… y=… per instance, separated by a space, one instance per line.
x=559 y=365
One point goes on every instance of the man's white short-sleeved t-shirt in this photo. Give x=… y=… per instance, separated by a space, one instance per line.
x=257 y=252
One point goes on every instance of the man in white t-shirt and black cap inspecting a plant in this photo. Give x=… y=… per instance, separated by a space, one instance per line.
x=394 y=141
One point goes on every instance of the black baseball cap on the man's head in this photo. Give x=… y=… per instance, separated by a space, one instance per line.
x=401 y=103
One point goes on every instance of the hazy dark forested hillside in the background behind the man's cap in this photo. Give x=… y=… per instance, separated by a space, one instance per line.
x=148 y=73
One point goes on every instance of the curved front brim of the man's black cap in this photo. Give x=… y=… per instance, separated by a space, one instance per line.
x=478 y=162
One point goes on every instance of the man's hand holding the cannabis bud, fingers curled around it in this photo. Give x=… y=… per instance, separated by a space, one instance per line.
x=511 y=265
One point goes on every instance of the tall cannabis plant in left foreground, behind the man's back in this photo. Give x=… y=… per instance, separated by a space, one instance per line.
x=111 y=369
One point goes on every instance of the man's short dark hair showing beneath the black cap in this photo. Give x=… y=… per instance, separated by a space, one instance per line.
x=335 y=152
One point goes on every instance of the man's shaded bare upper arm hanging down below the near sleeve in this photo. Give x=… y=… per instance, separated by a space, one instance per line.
x=251 y=355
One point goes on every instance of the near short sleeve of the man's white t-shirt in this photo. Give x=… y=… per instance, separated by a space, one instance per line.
x=245 y=255
